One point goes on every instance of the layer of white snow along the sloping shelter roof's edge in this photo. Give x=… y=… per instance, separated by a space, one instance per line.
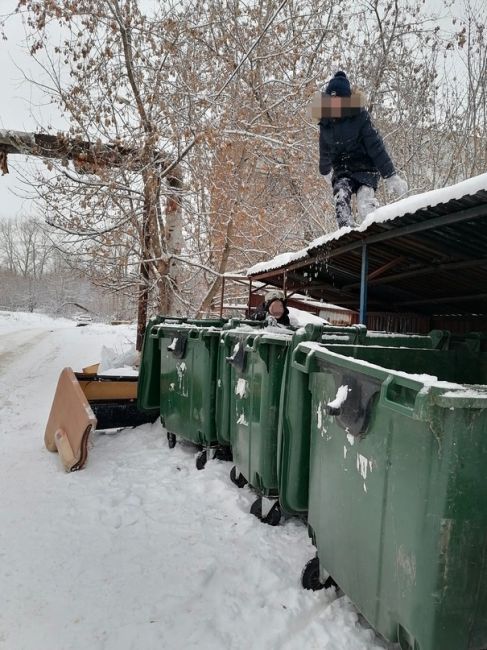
x=388 y=212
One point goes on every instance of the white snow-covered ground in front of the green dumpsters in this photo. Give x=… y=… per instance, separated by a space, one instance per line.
x=139 y=550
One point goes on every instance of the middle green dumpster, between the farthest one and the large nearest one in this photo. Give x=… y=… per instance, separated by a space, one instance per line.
x=257 y=367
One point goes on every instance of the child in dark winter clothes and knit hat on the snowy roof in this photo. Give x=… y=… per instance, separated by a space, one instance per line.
x=352 y=153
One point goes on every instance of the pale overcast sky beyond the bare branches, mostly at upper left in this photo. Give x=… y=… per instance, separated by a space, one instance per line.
x=23 y=108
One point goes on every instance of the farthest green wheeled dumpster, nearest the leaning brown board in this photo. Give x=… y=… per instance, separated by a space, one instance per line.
x=188 y=377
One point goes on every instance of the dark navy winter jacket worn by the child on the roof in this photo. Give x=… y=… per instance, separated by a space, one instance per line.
x=354 y=149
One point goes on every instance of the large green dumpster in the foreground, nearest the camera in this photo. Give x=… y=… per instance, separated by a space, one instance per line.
x=398 y=488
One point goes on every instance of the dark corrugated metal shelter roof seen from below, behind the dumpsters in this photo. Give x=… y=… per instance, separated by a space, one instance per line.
x=429 y=261
